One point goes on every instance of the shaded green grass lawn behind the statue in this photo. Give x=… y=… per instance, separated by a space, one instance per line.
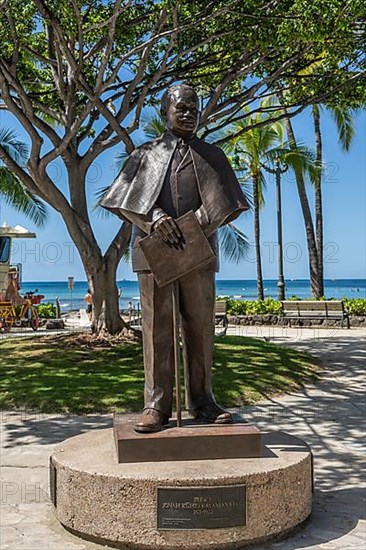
x=48 y=375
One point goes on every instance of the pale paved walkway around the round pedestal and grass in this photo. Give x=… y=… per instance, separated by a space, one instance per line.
x=330 y=417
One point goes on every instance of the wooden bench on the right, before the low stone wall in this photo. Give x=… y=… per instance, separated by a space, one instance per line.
x=314 y=309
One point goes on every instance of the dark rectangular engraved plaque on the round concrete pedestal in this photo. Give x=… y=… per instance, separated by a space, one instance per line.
x=201 y=507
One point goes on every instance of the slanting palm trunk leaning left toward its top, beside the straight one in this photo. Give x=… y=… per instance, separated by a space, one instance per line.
x=316 y=290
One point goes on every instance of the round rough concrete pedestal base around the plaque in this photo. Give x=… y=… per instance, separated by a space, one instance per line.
x=116 y=504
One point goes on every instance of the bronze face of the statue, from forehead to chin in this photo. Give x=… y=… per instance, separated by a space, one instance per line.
x=183 y=113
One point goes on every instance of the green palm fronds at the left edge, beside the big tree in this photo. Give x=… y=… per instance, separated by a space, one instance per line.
x=11 y=189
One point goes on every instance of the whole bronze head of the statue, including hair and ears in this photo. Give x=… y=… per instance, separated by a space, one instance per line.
x=180 y=110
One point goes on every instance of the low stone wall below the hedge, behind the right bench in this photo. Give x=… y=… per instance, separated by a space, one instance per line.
x=271 y=319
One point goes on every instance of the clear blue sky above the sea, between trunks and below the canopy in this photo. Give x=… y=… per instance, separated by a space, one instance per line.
x=52 y=256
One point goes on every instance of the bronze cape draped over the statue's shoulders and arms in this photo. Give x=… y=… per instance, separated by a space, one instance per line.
x=137 y=187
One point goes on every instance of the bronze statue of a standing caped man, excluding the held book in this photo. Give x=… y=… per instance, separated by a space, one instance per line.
x=161 y=181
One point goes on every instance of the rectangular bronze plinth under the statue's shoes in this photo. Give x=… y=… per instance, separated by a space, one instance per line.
x=190 y=442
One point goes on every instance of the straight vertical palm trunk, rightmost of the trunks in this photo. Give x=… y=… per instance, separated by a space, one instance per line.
x=319 y=201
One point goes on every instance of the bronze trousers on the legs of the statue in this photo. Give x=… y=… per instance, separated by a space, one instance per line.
x=196 y=304
